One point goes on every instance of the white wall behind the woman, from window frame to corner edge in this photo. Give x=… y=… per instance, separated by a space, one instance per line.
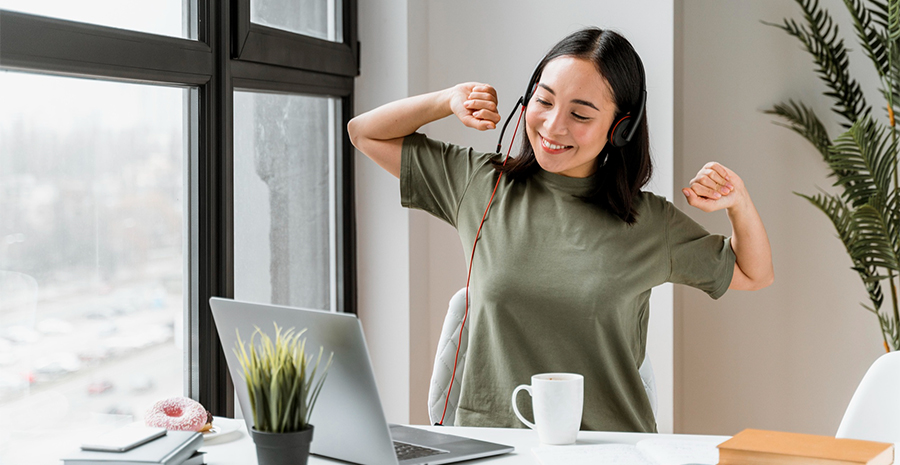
x=419 y=46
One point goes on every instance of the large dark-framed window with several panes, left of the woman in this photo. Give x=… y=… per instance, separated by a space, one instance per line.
x=136 y=173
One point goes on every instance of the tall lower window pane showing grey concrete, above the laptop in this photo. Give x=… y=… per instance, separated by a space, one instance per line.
x=284 y=186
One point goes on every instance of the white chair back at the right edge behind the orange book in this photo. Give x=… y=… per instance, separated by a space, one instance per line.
x=874 y=410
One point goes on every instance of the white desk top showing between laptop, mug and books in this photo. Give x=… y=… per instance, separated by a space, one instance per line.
x=239 y=450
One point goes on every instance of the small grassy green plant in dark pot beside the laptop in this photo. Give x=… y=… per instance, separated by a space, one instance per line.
x=282 y=386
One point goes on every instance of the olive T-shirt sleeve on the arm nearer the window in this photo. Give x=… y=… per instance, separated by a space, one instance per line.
x=434 y=175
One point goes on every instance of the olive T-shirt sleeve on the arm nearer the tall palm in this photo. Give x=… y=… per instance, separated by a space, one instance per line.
x=697 y=258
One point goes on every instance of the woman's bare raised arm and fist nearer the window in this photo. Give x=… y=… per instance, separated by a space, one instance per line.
x=379 y=133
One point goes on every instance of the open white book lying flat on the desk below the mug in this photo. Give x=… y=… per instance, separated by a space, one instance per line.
x=654 y=451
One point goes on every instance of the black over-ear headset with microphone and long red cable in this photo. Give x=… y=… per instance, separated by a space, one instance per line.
x=621 y=132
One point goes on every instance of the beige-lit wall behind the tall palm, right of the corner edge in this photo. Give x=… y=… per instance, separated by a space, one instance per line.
x=790 y=356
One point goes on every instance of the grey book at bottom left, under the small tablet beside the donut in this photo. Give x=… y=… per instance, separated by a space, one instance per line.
x=172 y=449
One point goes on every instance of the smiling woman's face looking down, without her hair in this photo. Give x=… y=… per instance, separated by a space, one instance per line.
x=568 y=118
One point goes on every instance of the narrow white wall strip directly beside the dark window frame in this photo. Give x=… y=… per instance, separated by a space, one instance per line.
x=383 y=247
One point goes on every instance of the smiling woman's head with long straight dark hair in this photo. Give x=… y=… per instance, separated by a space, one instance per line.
x=599 y=112
